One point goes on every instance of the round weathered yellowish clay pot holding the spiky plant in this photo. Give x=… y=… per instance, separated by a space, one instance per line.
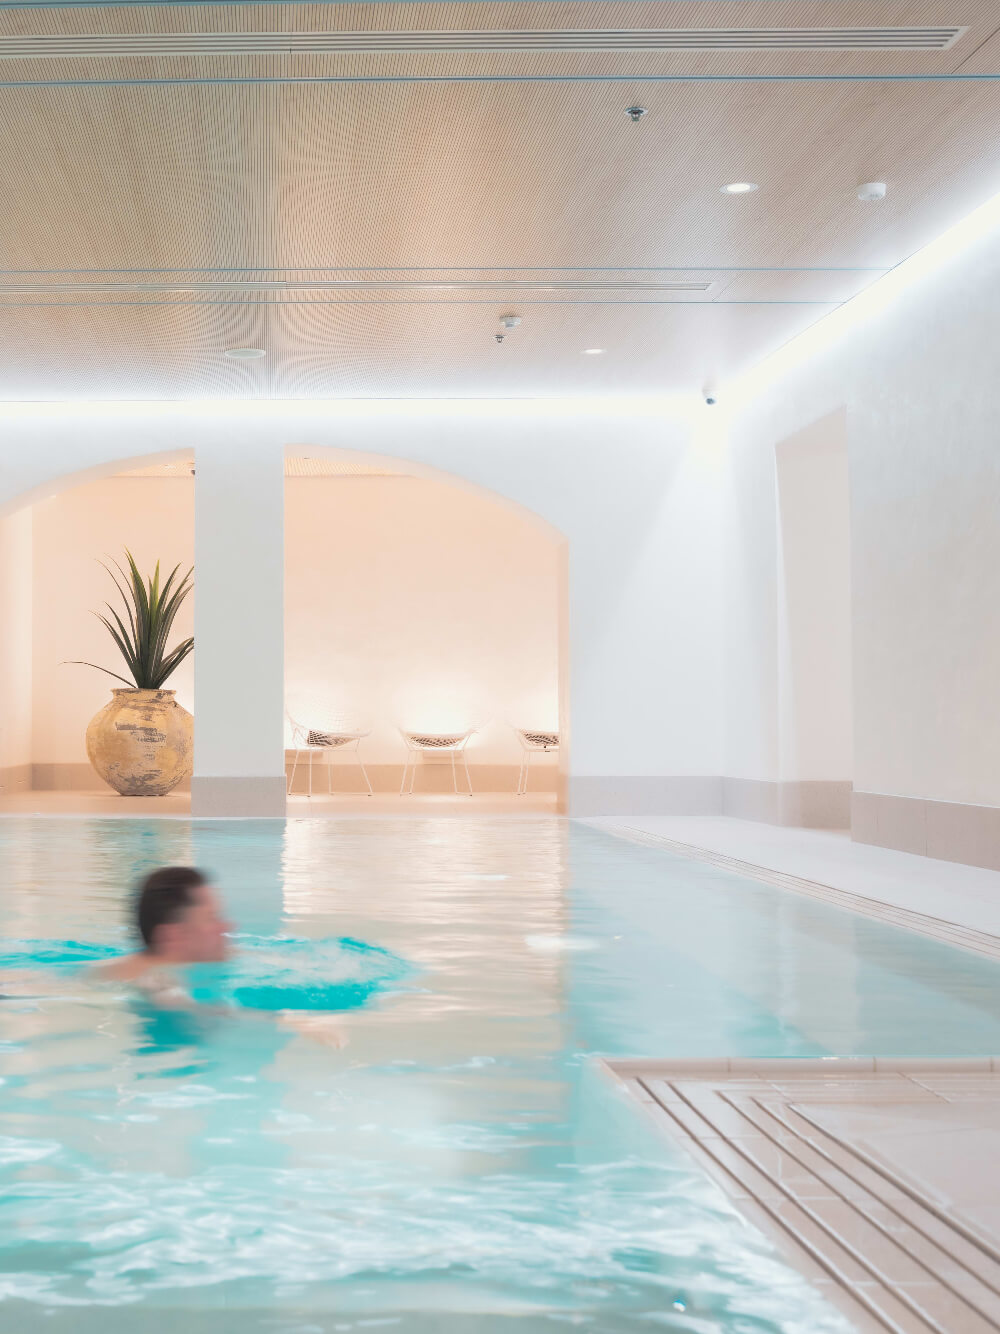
x=142 y=744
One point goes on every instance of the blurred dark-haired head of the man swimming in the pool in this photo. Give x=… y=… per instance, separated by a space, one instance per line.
x=181 y=917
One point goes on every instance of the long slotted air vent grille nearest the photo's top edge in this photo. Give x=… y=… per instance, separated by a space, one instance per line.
x=111 y=46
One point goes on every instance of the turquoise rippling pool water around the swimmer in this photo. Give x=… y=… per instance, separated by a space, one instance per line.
x=459 y=1164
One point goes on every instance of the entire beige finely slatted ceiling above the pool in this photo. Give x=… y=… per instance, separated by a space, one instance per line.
x=366 y=217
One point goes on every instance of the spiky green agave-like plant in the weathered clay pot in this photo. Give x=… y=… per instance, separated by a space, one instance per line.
x=151 y=610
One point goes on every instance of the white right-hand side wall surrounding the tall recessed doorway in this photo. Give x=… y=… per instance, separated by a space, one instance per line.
x=918 y=388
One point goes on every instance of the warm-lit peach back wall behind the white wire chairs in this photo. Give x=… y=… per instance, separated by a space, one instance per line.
x=414 y=604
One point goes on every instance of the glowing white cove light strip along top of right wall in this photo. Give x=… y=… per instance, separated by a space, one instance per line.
x=869 y=305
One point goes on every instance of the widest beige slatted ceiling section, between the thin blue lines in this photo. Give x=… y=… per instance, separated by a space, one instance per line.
x=230 y=178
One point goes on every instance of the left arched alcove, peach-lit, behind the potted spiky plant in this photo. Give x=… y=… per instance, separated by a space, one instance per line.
x=51 y=582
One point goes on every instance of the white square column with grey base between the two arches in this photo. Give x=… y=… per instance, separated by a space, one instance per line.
x=239 y=629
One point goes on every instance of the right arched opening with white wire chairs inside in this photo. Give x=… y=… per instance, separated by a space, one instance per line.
x=419 y=606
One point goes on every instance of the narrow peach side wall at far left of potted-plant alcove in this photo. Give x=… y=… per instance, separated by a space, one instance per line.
x=15 y=649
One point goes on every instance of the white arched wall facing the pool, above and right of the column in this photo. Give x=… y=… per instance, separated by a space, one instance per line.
x=635 y=497
